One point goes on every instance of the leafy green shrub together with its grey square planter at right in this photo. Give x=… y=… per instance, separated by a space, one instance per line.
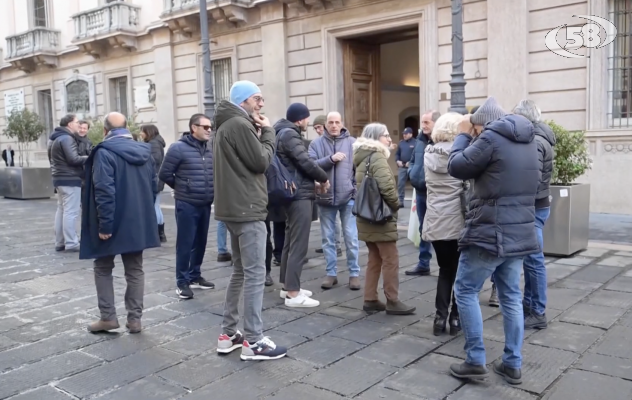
x=567 y=229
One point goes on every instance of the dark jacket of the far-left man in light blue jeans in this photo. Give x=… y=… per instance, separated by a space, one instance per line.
x=66 y=165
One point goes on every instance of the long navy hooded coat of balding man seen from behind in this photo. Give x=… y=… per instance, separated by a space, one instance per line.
x=119 y=198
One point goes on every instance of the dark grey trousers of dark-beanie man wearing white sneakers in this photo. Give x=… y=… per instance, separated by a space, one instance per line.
x=297 y=226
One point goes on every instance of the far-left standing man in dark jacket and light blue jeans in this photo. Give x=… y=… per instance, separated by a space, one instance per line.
x=66 y=166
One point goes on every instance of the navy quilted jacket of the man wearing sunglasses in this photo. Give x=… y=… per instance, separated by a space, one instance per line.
x=188 y=170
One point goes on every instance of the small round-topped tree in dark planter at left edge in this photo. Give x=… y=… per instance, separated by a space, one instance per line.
x=23 y=181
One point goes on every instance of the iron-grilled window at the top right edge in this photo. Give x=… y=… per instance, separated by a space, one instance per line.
x=620 y=65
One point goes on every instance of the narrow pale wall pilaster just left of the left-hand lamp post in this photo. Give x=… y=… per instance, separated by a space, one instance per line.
x=166 y=106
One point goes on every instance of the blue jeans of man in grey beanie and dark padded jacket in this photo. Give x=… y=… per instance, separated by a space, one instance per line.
x=476 y=265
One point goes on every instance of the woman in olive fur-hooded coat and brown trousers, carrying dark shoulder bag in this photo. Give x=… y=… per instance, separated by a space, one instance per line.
x=370 y=157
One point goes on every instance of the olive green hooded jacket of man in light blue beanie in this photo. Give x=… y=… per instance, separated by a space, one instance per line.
x=241 y=158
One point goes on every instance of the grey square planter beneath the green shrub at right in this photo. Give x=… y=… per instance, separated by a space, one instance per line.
x=567 y=229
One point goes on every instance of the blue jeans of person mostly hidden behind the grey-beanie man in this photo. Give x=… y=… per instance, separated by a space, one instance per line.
x=534 y=269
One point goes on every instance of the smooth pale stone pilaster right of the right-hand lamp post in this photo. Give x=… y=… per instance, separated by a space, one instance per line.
x=507 y=51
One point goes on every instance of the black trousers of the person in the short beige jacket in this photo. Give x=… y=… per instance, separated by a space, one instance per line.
x=448 y=254
